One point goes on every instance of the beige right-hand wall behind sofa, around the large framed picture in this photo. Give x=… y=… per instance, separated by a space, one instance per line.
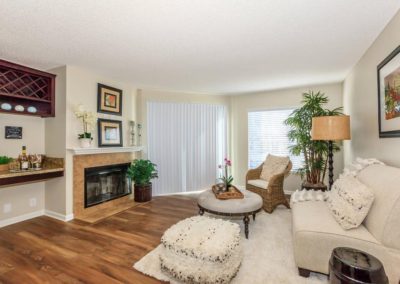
x=361 y=102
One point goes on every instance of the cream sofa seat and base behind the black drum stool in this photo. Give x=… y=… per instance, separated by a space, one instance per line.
x=316 y=234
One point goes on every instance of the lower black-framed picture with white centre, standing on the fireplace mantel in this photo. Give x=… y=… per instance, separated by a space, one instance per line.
x=110 y=133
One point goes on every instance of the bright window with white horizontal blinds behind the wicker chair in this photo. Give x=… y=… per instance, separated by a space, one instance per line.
x=268 y=135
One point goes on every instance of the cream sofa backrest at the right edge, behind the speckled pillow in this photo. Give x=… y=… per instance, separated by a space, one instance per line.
x=383 y=219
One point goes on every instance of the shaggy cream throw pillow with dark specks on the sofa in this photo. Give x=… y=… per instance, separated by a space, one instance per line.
x=349 y=202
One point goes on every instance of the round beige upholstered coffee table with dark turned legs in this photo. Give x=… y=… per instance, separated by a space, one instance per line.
x=251 y=204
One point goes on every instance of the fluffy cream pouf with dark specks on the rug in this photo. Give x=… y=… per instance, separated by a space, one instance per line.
x=201 y=250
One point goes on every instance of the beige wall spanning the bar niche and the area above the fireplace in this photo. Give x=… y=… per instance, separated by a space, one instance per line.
x=54 y=136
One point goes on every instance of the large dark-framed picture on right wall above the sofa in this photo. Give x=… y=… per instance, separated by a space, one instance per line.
x=389 y=95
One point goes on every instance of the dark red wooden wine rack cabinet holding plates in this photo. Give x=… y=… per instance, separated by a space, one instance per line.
x=26 y=88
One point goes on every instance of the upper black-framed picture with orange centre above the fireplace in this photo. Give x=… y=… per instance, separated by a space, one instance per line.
x=109 y=100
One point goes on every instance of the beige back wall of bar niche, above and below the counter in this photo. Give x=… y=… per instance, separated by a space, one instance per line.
x=19 y=196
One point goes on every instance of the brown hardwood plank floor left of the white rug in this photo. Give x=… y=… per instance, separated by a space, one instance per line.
x=44 y=250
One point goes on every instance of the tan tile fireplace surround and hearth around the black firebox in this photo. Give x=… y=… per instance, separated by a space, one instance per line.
x=94 y=213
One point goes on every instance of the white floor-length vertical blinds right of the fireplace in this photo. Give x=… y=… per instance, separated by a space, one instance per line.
x=187 y=142
